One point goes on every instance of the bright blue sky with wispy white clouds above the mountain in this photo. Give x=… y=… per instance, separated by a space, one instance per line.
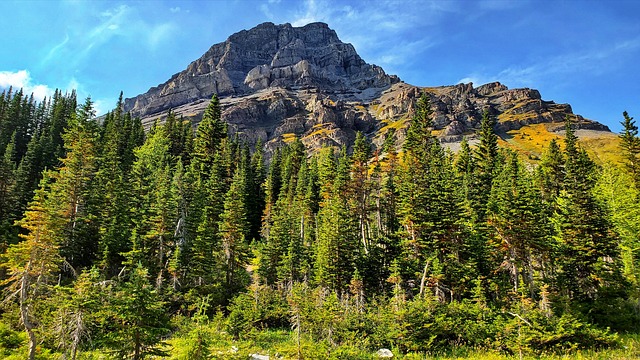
x=574 y=51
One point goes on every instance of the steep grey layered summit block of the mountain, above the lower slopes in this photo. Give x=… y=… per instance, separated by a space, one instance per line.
x=268 y=56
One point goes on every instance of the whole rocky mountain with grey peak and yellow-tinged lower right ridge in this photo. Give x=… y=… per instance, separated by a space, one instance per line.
x=277 y=82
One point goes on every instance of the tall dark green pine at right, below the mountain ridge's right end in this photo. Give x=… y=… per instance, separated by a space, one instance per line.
x=589 y=256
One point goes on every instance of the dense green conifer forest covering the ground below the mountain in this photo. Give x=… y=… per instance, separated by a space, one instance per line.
x=187 y=243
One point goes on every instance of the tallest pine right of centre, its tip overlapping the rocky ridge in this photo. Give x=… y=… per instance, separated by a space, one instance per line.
x=429 y=208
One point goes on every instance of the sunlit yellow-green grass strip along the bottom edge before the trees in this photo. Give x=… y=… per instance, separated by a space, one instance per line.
x=282 y=344
